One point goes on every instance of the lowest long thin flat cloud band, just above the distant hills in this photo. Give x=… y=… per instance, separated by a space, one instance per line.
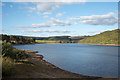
x=48 y=31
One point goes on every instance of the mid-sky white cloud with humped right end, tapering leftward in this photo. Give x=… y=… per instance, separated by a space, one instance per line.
x=49 y=23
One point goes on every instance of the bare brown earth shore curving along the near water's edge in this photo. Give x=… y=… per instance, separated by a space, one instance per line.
x=44 y=69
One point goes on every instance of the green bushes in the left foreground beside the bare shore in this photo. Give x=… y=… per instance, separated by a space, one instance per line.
x=10 y=56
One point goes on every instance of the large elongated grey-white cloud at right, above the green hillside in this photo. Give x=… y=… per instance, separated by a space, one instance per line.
x=107 y=19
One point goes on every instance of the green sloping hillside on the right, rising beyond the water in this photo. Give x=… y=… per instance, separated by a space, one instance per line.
x=107 y=37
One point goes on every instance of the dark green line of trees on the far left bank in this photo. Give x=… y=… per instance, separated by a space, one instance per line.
x=17 y=39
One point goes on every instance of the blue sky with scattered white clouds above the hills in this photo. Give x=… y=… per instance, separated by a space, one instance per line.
x=58 y=19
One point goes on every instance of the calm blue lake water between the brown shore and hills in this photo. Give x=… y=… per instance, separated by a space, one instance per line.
x=92 y=60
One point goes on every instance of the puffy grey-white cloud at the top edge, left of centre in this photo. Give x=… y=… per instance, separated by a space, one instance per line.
x=44 y=8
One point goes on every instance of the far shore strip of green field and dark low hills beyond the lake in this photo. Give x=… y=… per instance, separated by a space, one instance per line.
x=59 y=39
